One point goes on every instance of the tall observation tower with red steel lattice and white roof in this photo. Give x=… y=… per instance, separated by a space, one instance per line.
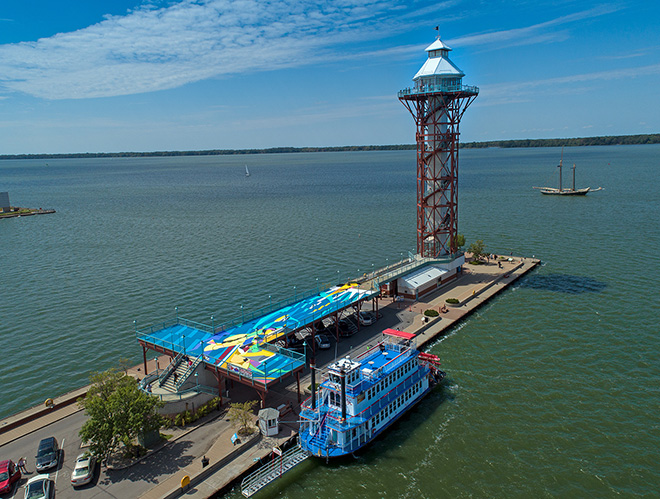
x=437 y=102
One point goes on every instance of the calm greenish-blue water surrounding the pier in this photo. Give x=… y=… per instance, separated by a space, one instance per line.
x=553 y=386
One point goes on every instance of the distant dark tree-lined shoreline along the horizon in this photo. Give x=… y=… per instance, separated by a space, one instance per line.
x=568 y=142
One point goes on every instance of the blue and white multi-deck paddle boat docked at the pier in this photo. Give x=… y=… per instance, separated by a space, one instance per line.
x=361 y=397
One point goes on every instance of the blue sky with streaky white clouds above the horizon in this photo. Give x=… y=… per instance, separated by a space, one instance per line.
x=121 y=75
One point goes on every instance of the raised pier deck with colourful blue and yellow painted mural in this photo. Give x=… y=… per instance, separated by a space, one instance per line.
x=252 y=350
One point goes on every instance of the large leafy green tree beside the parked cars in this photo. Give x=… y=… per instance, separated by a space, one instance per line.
x=118 y=412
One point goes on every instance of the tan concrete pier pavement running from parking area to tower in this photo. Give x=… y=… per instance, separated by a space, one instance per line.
x=228 y=463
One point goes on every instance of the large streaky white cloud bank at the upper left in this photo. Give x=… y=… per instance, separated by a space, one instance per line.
x=155 y=48
